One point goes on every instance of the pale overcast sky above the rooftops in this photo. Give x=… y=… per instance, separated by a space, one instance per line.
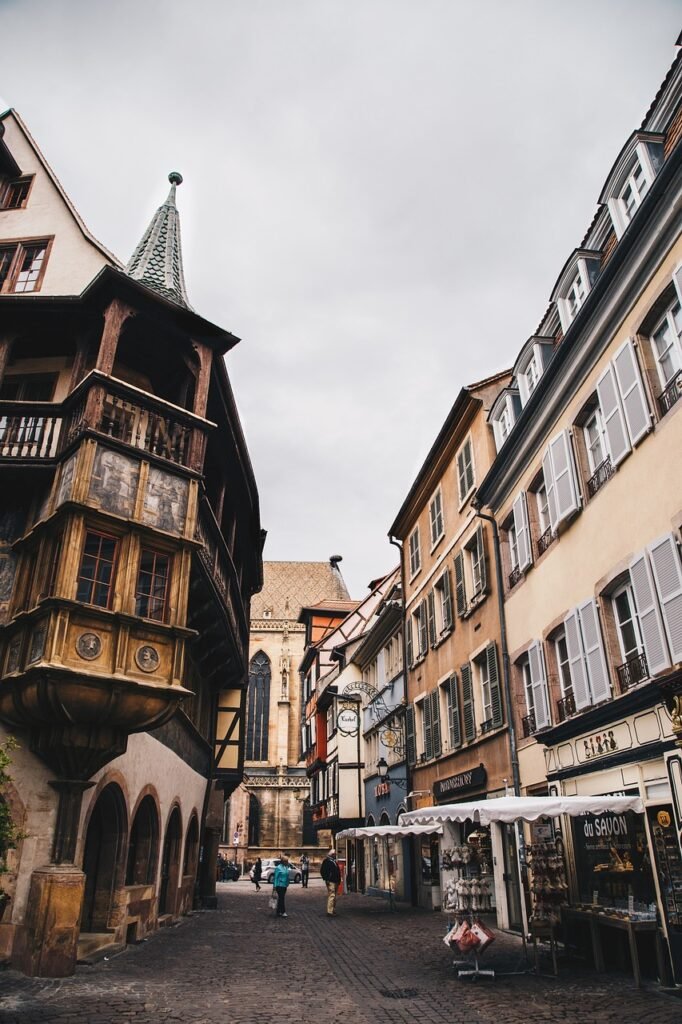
x=379 y=197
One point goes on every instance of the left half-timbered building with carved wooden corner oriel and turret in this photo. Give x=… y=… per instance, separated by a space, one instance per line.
x=131 y=546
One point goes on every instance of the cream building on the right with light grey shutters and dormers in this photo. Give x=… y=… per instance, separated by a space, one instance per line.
x=587 y=490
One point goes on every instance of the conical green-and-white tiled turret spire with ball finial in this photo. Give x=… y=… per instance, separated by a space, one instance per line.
x=158 y=259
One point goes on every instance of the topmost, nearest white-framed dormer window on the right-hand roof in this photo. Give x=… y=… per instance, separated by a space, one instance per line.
x=631 y=179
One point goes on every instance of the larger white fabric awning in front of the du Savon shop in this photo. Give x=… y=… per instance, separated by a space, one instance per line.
x=508 y=809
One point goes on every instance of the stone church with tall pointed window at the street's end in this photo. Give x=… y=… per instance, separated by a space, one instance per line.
x=271 y=813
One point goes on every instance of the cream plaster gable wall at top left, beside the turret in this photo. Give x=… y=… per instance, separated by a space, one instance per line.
x=74 y=261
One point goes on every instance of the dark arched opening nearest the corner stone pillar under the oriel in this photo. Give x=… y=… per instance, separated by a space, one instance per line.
x=104 y=859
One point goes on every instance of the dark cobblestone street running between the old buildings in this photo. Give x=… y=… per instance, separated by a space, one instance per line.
x=368 y=966
